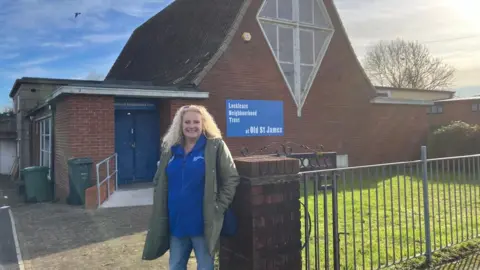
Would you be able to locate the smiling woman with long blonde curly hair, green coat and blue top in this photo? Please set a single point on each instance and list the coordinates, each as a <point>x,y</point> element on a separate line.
<point>195,184</point>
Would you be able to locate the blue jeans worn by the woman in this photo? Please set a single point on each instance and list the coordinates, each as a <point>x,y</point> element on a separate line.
<point>180,249</point>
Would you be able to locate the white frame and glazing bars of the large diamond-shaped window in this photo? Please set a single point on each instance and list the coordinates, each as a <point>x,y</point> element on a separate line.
<point>298,96</point>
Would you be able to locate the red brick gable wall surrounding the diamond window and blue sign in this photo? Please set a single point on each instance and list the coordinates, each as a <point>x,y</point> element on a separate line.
<point>337,112</point>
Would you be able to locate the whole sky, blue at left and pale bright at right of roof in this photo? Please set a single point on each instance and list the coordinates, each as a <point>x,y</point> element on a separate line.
<point>42,38</point>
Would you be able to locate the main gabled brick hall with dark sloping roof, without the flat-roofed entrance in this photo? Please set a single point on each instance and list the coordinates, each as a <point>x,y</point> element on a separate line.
<point>336,103</point>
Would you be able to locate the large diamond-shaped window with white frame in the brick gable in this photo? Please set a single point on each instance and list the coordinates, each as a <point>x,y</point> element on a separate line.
<point>298,33</point>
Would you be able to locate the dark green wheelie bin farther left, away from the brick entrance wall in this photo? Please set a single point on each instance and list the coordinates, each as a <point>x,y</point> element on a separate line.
<point>38,186</point>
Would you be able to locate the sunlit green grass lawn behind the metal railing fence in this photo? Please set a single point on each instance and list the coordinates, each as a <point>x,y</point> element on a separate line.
<point>381,215</point>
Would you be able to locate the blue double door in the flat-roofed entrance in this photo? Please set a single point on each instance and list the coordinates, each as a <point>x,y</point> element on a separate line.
<point>137,142</point>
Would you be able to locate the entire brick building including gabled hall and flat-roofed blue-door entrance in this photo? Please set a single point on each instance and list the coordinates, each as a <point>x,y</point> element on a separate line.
<point>212,52</point>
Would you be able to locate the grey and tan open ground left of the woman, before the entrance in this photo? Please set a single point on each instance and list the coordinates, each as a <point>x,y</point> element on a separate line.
<point>56,236</point>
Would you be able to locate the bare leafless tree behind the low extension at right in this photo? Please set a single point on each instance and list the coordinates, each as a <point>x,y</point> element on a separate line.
<point>407,64</point>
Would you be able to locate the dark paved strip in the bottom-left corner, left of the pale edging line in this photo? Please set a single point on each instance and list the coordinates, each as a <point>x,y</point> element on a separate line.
<point>8,253</point>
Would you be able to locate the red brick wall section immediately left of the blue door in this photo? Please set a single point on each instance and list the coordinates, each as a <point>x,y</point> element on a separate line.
<point>84,127</point>
